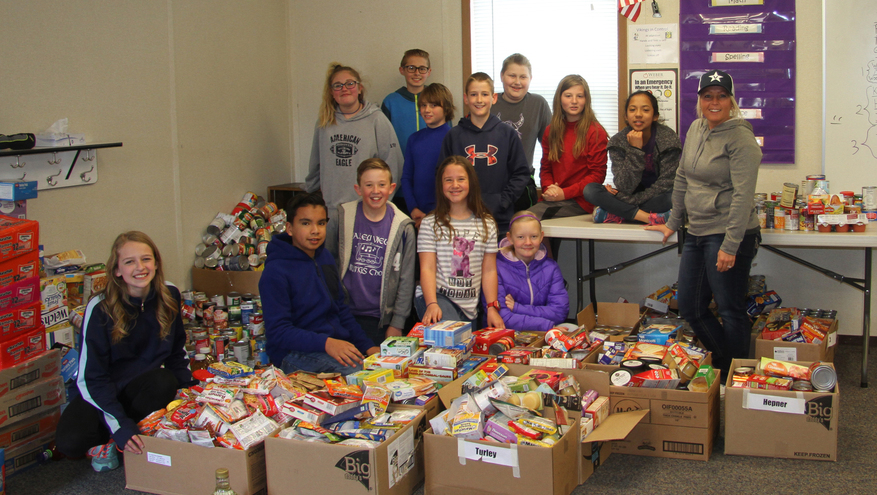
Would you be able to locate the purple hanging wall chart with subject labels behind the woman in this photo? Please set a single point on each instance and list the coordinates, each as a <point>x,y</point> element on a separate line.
<point>756,45</point>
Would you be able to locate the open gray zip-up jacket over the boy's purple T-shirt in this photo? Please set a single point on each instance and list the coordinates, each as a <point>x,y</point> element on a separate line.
<point>397,286</point>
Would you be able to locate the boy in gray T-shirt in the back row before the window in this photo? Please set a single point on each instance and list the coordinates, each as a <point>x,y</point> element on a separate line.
<point>527,113</point>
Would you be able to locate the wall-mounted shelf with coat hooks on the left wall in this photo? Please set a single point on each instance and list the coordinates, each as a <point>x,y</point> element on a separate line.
<point>55,167</point>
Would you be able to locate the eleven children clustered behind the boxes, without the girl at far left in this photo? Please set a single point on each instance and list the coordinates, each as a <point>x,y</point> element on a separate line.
<point>460,187</point>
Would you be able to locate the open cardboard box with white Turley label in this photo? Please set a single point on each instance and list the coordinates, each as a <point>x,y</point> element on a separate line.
<point>456,466</point>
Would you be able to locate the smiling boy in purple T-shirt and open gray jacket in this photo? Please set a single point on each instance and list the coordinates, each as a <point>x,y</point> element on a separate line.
<point>377,248</point>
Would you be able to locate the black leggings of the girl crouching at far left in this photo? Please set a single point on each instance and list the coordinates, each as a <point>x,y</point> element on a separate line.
<point>82,425</point>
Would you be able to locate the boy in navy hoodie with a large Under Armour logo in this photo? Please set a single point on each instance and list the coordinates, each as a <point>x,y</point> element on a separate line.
<point>494,149</point>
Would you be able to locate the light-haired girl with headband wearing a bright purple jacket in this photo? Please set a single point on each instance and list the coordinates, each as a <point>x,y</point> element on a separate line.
<point>531,289</point>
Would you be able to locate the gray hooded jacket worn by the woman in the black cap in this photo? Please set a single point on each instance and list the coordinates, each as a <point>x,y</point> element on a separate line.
<point>715,182</point>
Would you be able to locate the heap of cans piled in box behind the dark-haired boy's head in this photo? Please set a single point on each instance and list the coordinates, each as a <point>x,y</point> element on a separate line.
<point>239,241</point>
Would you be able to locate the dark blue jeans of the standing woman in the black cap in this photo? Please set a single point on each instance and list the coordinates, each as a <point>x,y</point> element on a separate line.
<point>700,281</point>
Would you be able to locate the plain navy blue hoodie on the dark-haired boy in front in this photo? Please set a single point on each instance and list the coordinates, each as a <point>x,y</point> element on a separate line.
<point>303,302</point>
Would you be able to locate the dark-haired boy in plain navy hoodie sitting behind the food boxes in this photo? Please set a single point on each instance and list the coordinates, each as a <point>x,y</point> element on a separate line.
<point>308,326</point>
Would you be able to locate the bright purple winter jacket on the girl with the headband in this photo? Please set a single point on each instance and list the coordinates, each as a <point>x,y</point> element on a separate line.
<point>541,301</point>
